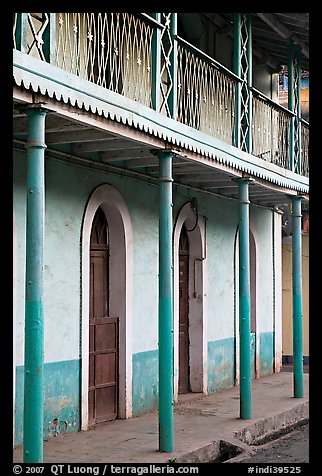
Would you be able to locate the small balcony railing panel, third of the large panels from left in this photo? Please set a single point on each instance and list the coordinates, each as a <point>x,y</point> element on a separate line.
<point>270,130</point>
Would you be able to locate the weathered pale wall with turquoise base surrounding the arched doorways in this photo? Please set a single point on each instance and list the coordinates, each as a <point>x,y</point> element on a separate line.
<point>68,188</point>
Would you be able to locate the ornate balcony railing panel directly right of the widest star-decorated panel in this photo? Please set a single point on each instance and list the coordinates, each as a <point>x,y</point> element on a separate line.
<point>206,94</point>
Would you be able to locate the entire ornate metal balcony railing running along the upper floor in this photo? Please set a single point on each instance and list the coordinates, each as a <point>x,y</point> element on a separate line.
<point>141,57</point>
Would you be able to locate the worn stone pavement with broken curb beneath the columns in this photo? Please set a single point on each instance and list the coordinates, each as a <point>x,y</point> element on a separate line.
<point>207,428</point>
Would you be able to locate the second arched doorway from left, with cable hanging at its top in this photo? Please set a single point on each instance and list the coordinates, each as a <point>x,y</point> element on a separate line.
<point>190,302</point>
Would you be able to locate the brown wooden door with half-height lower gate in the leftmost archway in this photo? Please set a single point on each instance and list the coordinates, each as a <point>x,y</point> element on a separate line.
<point>103,330</point>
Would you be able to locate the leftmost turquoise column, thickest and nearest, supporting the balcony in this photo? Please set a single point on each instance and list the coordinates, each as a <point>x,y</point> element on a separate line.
<point>34,319</point>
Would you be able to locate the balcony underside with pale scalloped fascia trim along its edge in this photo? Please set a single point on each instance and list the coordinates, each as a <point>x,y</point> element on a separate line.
<point>92,126</point>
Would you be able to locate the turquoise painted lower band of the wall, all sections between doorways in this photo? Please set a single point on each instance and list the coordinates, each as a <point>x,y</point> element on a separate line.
<point>62,384</point>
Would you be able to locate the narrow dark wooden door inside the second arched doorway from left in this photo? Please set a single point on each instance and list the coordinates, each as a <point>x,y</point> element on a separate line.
<point>184,384</point>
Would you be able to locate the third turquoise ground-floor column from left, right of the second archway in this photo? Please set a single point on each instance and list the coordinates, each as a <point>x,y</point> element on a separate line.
<point>244,303</point>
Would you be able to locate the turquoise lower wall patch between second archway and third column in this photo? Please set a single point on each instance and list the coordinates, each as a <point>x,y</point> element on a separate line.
<point>221,364</point>
